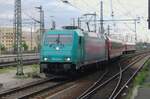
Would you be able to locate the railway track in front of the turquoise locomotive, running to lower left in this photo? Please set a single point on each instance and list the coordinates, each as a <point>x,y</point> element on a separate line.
<point>31,89</point>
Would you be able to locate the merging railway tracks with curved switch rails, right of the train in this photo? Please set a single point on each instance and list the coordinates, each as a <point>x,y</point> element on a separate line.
<point>118,82</point>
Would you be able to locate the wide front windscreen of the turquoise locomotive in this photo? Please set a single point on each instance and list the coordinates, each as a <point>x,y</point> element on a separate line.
<point>58,39</point>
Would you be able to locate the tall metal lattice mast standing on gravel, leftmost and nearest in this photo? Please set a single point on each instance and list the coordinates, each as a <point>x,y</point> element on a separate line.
<point>18,36</point>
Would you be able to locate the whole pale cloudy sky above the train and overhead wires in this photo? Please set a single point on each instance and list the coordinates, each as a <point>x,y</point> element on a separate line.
<point>63,13</point>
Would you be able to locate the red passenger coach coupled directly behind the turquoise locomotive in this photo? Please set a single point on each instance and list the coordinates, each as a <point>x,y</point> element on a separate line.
<point>115,48</point>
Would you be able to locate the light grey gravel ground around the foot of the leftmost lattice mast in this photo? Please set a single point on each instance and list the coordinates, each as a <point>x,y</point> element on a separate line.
<point>9,80</point>
